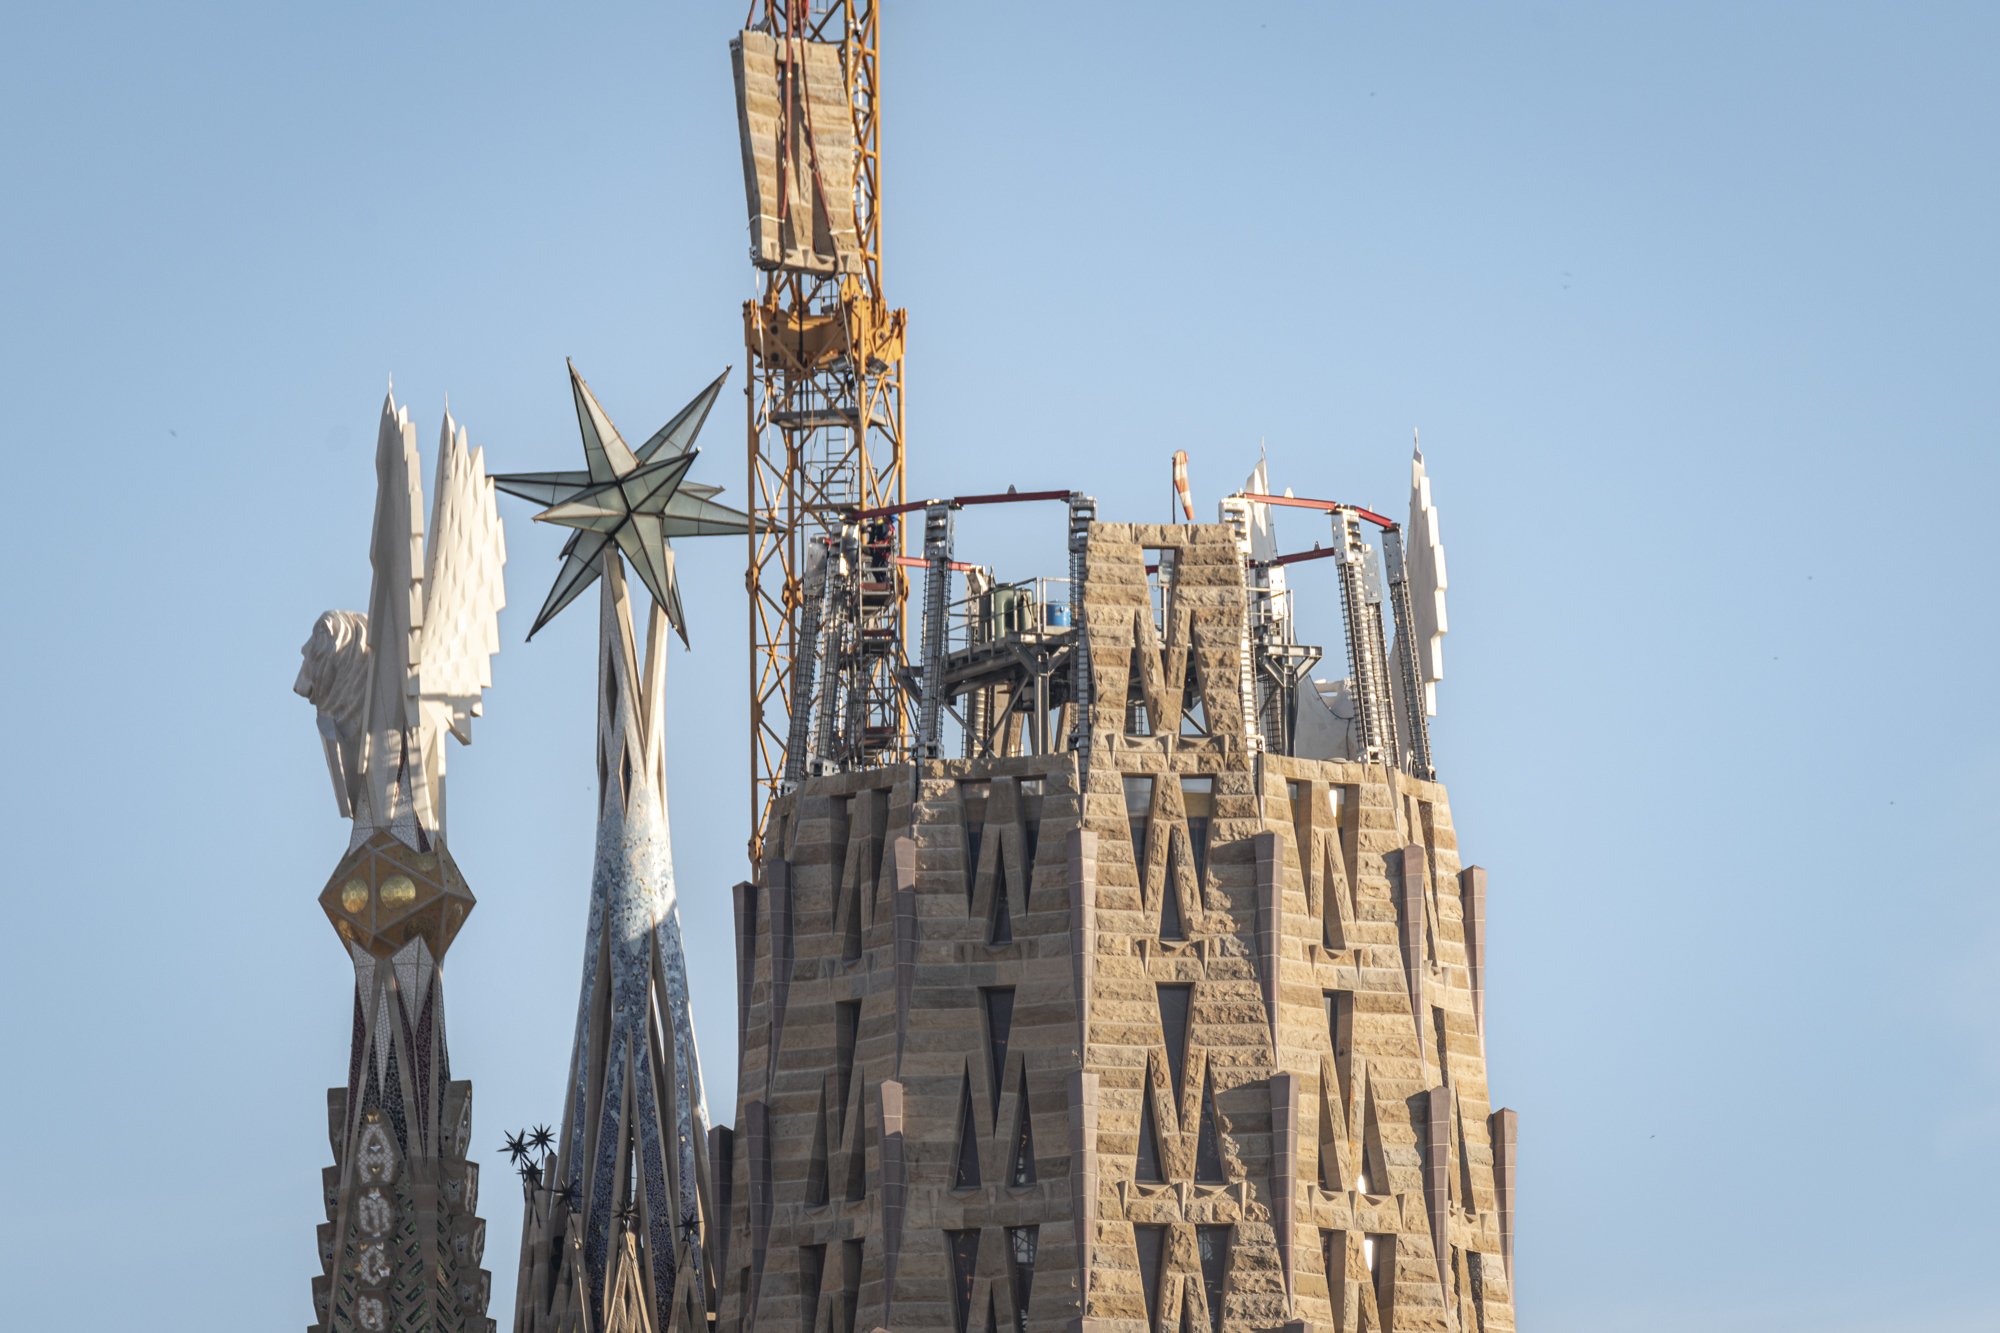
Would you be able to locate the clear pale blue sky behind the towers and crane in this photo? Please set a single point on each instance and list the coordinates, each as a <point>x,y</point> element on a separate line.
<point>1695,307</point>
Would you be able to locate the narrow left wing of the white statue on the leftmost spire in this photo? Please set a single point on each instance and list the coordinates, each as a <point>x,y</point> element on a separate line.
<point>395,611</point>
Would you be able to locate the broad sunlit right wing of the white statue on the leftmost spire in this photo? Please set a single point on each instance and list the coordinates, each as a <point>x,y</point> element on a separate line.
<point>463,587</point>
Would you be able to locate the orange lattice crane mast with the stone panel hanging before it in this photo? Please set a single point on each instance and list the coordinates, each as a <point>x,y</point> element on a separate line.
<point>825,395</point>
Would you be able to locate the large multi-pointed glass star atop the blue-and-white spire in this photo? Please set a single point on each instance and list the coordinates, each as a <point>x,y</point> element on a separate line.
<point>627,501</point>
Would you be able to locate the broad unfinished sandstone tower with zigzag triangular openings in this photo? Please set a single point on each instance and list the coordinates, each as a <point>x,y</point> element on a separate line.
<point>967,1100</point>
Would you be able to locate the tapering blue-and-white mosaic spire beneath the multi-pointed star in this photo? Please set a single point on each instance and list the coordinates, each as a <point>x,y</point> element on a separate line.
<point>611,1236</point>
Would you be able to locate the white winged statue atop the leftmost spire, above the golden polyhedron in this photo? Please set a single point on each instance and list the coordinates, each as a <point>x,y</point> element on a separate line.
<point>391,684</point>
